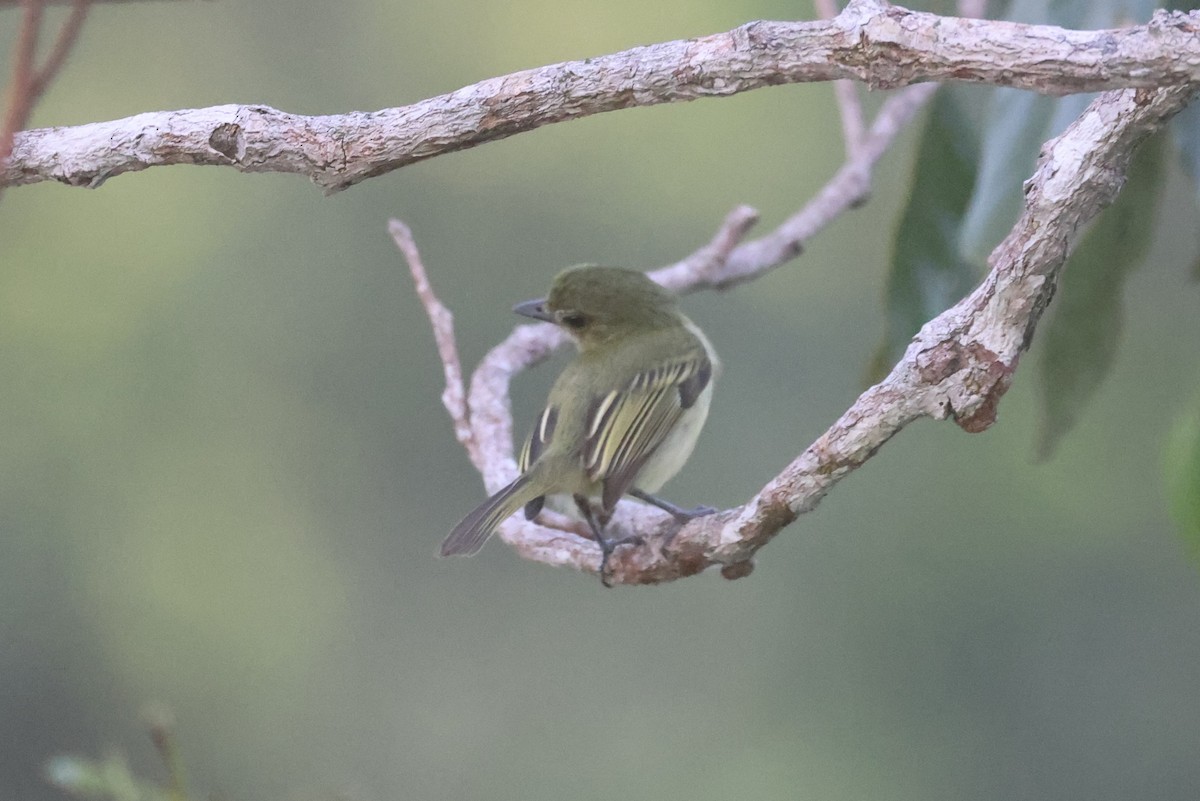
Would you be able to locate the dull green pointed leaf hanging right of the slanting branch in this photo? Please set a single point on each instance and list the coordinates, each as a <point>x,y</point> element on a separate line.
<point>1082,338</point>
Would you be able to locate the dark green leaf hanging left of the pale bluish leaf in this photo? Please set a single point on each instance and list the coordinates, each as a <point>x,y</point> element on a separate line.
<point>927,274</point>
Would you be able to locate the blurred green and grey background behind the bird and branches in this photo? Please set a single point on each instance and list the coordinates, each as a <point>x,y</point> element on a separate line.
<point>225,468</point>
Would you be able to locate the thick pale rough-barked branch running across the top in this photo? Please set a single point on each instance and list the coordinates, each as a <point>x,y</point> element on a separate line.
<point>884,46</point>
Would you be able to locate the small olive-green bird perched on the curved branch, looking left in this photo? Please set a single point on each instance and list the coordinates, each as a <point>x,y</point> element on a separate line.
<point>621,419</point>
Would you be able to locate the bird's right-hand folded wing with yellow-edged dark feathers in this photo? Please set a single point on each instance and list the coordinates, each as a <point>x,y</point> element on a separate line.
<point>626,426</point>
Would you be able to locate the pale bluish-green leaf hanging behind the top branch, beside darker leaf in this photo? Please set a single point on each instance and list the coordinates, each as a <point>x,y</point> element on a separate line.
<point>1018,123</point>
